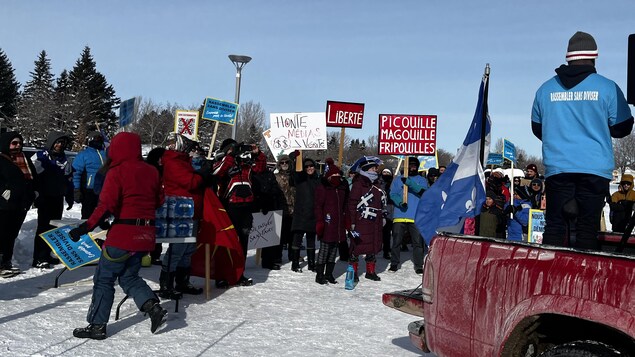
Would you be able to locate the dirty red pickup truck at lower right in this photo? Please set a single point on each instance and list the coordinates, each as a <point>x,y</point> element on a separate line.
<point>492,297</point>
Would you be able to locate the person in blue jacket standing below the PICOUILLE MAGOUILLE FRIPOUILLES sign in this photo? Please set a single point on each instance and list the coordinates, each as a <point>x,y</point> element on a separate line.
<point>404,215</point>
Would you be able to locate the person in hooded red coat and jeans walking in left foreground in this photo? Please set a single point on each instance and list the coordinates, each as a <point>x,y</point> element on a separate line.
<point>131,193</point>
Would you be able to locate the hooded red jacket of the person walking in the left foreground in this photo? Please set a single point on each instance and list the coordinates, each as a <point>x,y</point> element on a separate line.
<point>131,190</point>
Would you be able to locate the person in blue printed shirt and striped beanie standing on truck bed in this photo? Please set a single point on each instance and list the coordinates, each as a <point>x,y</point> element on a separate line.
<point>578,111</point>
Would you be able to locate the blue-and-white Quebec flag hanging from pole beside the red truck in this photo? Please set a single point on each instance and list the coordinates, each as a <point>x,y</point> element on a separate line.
<point>460,192</point>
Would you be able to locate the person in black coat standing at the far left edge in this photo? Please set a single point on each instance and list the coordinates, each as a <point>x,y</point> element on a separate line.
<point>17,190</point>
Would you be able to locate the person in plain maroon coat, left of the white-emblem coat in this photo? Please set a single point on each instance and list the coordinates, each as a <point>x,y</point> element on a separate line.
<point>330,213</point>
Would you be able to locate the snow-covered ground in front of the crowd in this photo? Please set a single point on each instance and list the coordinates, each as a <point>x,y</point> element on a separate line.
<point>283,314</point>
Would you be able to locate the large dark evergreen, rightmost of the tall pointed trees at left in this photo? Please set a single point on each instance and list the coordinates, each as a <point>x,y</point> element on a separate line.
<point>95,98</point>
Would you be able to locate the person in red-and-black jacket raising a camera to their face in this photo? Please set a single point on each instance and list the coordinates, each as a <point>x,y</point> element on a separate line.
<point>234,172</point>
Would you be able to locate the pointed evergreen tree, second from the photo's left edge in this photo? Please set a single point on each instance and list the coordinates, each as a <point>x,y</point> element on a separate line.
<point>37,106</point>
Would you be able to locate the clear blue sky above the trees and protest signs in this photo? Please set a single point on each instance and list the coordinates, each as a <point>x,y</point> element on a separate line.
<point>409,57</point>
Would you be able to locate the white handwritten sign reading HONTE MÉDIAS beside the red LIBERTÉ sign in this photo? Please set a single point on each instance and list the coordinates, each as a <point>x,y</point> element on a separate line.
<point>298,131</point>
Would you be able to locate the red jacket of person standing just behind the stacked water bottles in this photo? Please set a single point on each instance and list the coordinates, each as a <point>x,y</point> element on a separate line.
<point>179,179</point>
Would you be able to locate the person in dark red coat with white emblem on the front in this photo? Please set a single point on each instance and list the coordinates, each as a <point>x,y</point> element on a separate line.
<point>366,207</point>
